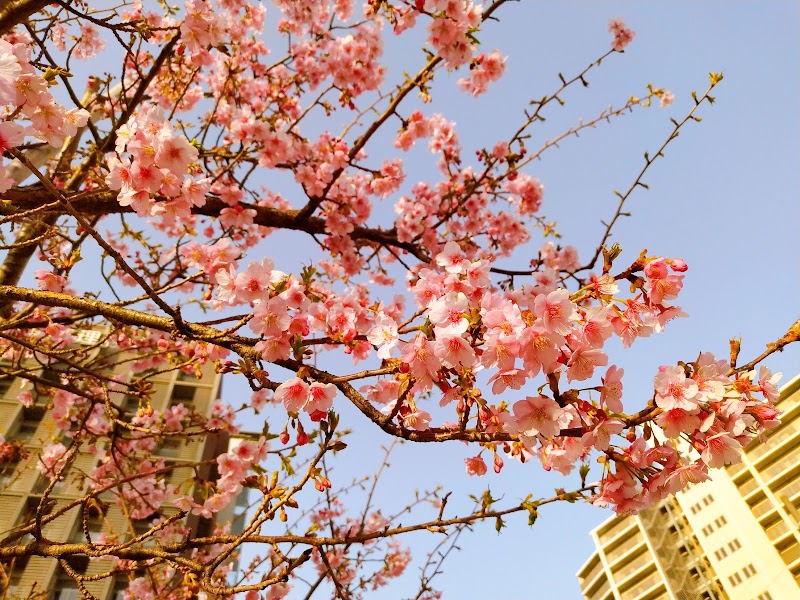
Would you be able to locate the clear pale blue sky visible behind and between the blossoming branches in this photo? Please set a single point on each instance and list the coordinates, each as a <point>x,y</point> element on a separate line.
<point>725,198</point>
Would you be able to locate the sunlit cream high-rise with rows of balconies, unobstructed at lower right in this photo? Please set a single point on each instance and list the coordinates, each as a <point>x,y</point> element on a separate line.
<point>736,537</point>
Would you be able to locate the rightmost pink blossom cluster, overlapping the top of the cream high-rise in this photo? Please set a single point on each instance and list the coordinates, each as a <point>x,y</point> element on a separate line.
<point>706,418</point>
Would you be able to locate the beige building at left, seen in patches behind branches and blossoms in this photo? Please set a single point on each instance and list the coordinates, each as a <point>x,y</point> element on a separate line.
<point>21,484</point>
